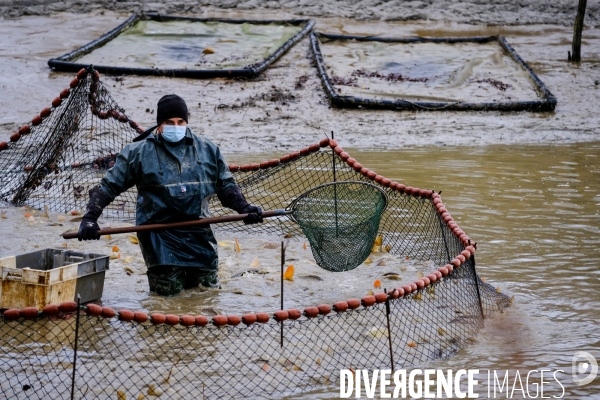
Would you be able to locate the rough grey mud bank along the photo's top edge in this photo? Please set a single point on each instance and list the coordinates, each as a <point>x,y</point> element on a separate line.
<point>494,12</point>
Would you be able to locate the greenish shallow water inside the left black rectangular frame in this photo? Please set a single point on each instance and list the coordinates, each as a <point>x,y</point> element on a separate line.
<point>191,45</point>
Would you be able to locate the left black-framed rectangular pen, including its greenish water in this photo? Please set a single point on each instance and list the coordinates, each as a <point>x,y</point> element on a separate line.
<point>187,47</point>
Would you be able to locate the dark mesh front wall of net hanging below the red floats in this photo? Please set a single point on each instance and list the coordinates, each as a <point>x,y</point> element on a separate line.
<point>126,358</point>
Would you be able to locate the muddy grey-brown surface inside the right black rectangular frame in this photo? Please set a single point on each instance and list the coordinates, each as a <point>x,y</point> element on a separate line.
<point>465,72</point>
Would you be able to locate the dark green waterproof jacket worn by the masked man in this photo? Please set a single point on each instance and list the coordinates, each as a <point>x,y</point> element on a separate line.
<point>175,182</point>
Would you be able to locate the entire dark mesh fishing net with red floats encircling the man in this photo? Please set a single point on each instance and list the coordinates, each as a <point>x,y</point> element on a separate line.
<point>85,355</point>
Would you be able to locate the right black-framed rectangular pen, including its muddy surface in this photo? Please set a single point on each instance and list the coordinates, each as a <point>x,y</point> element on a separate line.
<point>448,74</point>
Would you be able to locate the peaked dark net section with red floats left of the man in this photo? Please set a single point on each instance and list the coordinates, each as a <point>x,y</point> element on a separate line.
<point>65,150</point>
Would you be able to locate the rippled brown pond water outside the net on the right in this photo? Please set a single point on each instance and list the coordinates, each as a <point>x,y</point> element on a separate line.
<point>535,213</point>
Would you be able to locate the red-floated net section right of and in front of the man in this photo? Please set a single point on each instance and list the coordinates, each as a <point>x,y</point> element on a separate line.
<point>87,352</point>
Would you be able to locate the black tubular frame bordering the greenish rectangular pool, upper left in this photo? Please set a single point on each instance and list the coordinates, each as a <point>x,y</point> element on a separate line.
<point>68,62</point>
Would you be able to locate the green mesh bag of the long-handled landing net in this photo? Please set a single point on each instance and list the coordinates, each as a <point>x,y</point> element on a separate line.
<point>340,221</point>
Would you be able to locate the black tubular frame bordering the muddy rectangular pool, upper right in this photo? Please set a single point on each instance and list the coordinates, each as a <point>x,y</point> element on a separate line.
<point>547,101</point>
